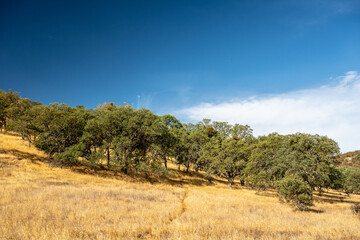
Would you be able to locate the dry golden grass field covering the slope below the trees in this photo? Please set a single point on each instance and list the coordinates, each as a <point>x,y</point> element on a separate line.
<point>38,201</point>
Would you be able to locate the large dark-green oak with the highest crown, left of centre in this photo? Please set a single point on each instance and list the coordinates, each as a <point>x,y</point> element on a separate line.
<point>126,136</point>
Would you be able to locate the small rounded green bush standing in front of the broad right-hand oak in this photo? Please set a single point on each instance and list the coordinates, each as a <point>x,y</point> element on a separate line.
<point>295,191</point>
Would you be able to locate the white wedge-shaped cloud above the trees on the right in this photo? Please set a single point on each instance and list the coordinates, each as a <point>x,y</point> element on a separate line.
<point>331,110</point>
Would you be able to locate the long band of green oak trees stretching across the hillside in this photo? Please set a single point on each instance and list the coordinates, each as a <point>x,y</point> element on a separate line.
<point>125,139</point>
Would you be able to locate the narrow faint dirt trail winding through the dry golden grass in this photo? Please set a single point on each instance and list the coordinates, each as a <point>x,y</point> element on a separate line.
<point>159,233</point>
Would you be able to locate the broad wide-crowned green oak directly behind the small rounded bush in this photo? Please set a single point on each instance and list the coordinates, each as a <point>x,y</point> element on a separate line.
<point>309,157</point>
